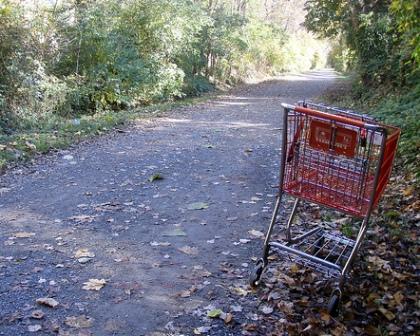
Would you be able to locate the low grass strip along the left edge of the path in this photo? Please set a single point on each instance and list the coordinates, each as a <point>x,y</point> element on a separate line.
<point>39,136</point>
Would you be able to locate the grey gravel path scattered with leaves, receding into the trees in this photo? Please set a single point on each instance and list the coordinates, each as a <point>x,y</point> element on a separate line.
<point>145,232</point>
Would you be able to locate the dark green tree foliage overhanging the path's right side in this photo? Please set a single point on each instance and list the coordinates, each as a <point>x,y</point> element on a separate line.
<point>382,36</point>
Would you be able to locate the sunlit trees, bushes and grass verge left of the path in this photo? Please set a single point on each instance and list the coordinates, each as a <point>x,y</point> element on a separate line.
<point>72,68</point>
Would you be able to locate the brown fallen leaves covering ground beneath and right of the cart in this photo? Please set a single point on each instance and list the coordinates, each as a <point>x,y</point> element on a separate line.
<point>381,296</point>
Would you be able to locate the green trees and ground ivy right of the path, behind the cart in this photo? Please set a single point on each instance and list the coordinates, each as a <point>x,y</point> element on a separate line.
<point>378,43</point>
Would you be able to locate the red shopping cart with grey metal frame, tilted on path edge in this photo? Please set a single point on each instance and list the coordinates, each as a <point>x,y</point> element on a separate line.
<point>335,158</point>
